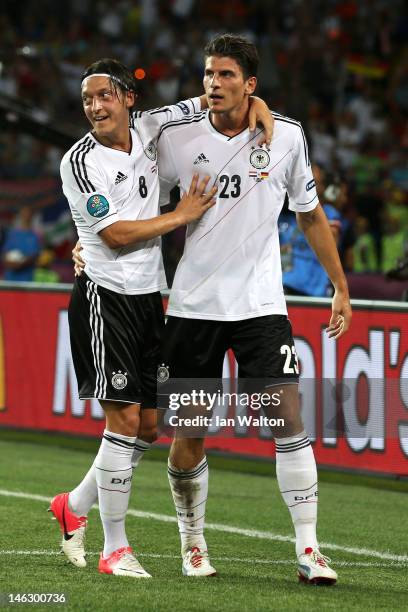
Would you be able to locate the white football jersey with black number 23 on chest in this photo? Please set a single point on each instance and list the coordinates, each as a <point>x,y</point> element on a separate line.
<point>231,267</point>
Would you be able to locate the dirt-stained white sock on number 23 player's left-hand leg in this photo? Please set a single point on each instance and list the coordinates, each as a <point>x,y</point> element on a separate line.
<point>190,489</point>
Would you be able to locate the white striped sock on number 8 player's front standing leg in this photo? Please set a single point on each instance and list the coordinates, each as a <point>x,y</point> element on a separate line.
<point>114,478</point>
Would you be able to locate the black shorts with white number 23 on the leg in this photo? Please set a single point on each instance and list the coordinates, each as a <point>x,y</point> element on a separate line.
<point>263,347</point>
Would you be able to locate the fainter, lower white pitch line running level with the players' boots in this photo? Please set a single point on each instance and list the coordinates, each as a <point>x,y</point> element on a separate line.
<point>54,553</point>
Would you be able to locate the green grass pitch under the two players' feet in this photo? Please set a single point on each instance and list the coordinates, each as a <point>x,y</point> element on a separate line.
<point>253,555</point>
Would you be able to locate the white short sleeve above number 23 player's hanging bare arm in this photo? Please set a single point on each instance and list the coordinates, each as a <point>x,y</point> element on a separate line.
<point>301,184</point>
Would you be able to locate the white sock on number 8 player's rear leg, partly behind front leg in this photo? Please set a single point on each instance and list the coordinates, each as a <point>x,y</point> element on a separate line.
<point>85,495</point>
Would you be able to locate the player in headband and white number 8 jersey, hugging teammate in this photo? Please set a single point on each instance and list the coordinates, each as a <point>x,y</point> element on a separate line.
<point>116,317</point>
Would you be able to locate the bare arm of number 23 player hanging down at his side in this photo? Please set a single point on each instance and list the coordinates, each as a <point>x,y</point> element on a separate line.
<point>315,226</point>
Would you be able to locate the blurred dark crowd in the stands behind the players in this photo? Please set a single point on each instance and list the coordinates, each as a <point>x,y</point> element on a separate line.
<point>338,66</point>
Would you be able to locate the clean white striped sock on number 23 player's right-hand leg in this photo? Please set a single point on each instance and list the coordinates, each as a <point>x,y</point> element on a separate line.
<point>297,479</point>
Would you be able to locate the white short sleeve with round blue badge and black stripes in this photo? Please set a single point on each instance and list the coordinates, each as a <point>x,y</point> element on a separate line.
<point>87,194</point>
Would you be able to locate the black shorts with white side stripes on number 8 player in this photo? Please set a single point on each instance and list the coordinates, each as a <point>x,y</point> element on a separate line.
<point>115,343</point>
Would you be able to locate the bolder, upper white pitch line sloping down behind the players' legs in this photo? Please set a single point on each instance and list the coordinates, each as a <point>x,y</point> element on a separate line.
<point>250,533</point>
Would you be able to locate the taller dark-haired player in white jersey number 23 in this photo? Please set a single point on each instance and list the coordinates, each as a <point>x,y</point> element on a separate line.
<point>227,291</point>
